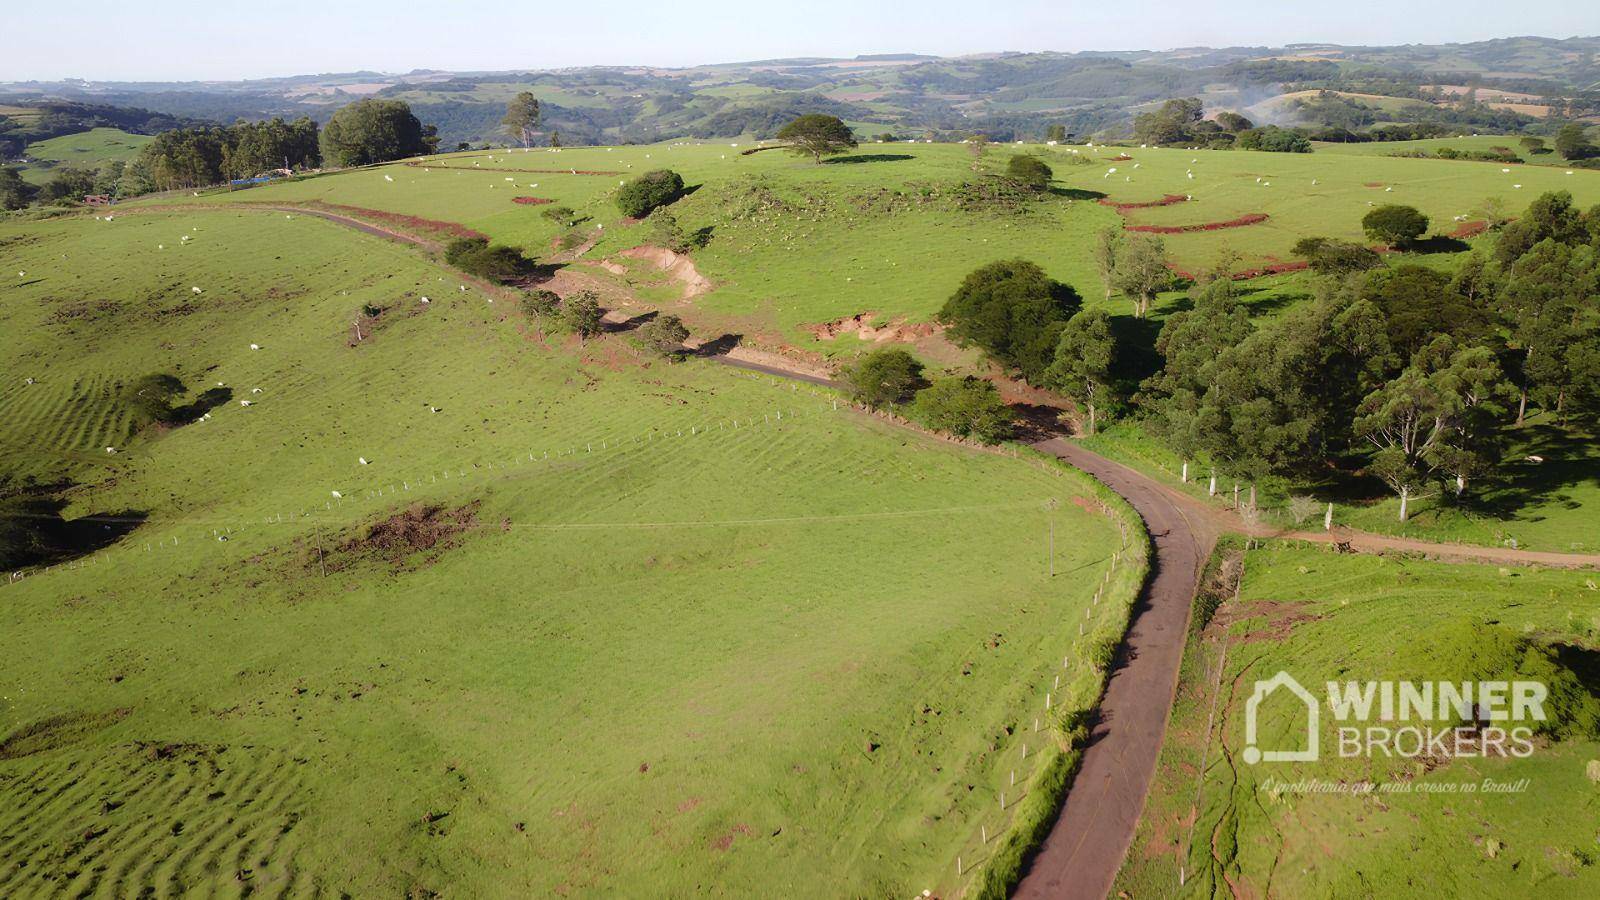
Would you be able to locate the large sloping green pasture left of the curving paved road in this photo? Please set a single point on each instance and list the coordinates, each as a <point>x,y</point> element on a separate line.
<point>692,632</point>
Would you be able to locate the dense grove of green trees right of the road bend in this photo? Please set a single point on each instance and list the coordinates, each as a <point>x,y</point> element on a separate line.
<point>1406,372</point>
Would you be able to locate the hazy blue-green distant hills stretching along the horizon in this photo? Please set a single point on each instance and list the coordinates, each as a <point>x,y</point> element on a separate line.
<point>1505,84</point>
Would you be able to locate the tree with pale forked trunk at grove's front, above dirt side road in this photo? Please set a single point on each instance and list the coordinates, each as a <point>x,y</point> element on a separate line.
<point>1425,420</point>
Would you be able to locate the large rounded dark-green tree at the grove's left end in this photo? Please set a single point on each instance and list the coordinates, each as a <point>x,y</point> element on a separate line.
<point>1014,313</point>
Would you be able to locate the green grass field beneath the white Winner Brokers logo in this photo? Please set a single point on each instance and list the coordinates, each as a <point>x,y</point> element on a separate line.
<point>1218,827</point>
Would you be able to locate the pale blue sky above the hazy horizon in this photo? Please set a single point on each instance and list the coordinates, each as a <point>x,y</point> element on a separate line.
<point>223,39</point>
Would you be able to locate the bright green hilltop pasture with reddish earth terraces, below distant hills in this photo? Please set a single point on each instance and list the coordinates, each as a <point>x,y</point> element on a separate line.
<point>796,244</point>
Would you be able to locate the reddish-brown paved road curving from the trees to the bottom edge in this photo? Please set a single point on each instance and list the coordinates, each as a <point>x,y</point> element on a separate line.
<point>1086,848</point>
